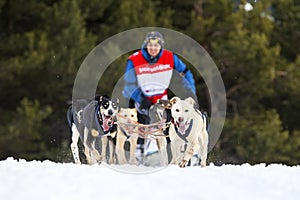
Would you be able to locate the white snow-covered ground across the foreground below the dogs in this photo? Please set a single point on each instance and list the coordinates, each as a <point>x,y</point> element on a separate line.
<point>21,179</point>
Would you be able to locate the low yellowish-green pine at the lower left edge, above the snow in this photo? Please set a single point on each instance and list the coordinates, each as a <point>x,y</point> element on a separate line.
<point>21,137</point>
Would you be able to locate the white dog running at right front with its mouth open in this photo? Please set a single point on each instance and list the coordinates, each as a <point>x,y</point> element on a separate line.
<point>189,128</point>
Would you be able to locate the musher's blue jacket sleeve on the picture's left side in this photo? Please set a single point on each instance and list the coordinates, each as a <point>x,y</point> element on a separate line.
<point>131,89</point>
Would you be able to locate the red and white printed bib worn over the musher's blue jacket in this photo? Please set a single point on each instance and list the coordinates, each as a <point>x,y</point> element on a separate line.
<point>153,79</point>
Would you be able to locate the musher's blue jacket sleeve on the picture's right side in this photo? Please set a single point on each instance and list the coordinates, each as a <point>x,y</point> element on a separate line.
<point>188,80</point>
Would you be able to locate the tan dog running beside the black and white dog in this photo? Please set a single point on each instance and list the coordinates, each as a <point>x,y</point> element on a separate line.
<point>127,121</point>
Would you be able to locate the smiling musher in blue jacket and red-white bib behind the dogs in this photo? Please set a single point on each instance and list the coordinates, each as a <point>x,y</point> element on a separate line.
<point>148,75</point>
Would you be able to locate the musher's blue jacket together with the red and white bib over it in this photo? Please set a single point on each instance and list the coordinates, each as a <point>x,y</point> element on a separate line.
<point>147,77</point>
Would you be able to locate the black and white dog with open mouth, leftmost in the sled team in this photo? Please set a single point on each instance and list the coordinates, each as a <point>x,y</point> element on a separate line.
<point>90,120</point>
